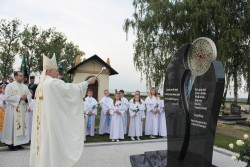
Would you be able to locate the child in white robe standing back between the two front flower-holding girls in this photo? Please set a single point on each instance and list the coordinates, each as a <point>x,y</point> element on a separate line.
<point>125,115</point>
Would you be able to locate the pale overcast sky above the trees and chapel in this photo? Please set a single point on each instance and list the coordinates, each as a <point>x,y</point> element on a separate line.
<point>94,25</point>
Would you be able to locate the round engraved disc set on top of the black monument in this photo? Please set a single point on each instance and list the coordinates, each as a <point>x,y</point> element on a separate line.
<point>200,56</point>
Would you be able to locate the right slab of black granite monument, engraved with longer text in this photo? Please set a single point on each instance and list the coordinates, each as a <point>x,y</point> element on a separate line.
<point>204,108</point>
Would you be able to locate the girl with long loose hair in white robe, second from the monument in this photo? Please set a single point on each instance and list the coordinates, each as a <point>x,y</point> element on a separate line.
<point>152,117</point>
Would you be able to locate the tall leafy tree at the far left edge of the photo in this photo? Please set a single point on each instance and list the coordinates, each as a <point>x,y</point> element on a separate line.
<point>9,45</point>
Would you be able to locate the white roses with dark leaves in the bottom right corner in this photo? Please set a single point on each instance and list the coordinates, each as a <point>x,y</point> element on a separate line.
<point>244,153</point>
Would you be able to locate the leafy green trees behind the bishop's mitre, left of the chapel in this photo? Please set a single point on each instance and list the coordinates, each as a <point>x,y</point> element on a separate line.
<point>37,42</point>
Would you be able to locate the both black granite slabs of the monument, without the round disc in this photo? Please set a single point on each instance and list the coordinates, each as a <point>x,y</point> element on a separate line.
<point>192,105</point>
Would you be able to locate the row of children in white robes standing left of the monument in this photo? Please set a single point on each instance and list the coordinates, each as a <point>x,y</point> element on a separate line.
<point>115,112</point>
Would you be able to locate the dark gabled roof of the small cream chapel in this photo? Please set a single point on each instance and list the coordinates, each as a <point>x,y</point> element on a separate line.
<point>95,57</point>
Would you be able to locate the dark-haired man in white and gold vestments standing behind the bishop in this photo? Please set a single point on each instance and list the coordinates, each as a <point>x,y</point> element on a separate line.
<point>16,126</point>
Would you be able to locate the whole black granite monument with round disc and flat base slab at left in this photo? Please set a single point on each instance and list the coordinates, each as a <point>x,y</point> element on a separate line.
<point>193,92</point>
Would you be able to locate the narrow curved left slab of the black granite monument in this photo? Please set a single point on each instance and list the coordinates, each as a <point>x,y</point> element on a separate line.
<point>174,106</point>
